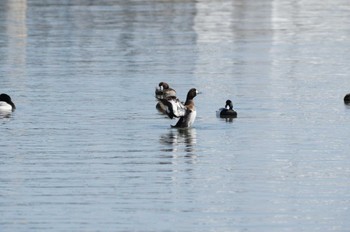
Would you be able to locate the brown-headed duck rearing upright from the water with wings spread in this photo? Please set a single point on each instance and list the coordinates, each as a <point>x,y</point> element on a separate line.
<point>185,112</point>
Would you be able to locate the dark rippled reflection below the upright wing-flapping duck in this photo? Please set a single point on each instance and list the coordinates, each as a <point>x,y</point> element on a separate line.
<point>178,140</point>
